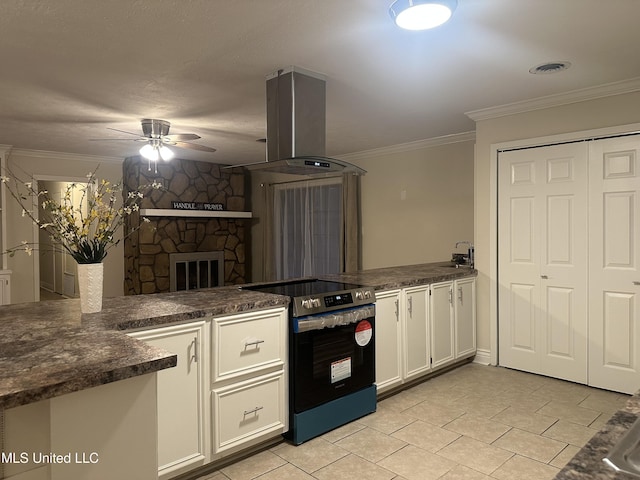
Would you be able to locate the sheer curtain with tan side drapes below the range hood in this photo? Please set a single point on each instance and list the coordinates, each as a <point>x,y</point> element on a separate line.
<point>312,227</point>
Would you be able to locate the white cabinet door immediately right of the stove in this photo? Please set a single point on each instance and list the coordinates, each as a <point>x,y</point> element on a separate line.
<point>388,340</point>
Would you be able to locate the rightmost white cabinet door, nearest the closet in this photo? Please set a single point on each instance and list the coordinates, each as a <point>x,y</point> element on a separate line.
<point>465,316</point>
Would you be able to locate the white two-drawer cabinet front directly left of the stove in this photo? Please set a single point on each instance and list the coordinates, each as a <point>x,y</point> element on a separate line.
<point>249,392</point>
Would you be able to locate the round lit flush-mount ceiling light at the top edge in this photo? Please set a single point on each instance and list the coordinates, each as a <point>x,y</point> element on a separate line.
<point>421,14</point>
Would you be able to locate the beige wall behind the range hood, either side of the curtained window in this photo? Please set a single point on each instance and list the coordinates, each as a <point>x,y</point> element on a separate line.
<point>421,225</point>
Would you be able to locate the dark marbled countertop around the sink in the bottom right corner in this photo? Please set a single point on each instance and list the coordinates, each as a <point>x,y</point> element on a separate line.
<point>587,464</point>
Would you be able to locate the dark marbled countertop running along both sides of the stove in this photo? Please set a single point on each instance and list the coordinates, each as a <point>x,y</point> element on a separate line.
<point>49,348</point>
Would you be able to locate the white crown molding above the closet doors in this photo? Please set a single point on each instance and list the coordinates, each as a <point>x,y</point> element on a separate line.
<point>574,96</point>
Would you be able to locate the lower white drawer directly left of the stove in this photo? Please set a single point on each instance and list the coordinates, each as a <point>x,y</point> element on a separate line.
<point>249,410</point>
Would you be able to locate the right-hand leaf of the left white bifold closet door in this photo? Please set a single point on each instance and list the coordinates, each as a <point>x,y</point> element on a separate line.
<point>563,268</point>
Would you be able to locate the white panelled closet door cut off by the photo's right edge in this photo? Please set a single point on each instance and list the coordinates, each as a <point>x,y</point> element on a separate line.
<point>614,264</point>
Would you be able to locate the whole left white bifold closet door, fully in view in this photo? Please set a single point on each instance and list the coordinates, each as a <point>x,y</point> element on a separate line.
<point>542,255</point>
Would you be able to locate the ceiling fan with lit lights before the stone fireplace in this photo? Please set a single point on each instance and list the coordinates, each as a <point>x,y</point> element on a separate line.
<point>155,134</point>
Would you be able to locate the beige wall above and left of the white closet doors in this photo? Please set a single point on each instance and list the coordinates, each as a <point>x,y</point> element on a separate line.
<point>593,114</point>
